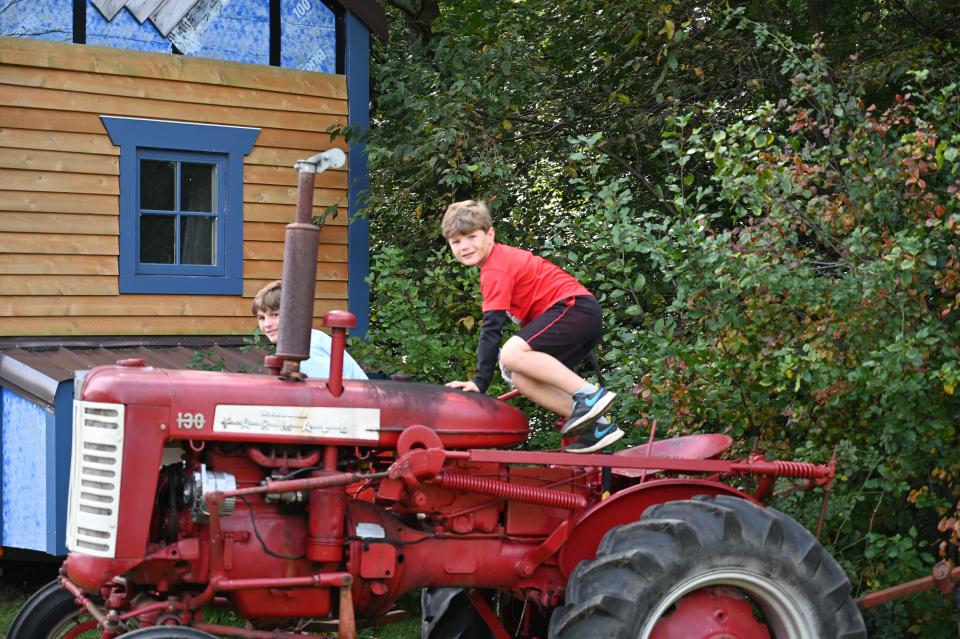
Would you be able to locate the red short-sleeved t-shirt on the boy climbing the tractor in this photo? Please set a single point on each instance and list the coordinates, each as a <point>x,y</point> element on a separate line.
<point>524,284</point>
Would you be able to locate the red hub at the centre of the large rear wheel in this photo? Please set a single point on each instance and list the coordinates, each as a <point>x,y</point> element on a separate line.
<point>711,613</point>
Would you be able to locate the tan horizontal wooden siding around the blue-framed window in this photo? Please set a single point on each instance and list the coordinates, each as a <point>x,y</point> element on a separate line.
<point>59,183</point>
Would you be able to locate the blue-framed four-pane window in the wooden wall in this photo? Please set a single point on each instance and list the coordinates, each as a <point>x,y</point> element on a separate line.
<point>181,205</point>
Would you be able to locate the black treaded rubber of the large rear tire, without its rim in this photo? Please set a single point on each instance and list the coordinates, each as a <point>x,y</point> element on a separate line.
<point>611,595</point>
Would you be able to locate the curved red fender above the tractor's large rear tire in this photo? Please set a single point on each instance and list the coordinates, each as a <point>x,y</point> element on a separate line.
<point>625,507</point>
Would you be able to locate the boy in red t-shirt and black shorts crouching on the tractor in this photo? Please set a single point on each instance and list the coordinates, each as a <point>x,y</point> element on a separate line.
<point>560,320</point>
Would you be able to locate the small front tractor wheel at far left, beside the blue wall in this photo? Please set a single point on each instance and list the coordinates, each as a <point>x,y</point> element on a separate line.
<point>51,613</point>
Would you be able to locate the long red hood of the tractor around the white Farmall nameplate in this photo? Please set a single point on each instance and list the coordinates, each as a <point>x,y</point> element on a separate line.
<point>462,420</point>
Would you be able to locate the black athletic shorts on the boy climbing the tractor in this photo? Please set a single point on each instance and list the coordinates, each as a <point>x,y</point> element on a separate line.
<point>568,330</point>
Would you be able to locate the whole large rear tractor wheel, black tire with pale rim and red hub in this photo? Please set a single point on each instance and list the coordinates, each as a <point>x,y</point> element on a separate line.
<point>719,545</point>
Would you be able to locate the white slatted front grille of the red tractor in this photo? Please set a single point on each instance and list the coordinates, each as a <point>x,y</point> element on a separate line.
<point>93,504</point>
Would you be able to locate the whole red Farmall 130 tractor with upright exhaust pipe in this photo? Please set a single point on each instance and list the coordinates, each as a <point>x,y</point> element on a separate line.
<point>307,506</point>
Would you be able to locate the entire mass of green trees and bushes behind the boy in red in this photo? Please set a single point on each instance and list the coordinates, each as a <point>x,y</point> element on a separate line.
<point>770,227</point>
